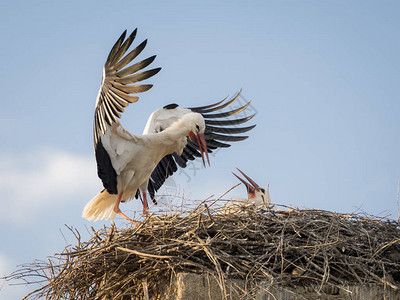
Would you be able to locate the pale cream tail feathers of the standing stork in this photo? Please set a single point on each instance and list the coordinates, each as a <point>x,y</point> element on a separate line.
<point>100,207</point>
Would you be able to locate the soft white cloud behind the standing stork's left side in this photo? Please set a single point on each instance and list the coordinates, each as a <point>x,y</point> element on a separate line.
<point>30,182</point>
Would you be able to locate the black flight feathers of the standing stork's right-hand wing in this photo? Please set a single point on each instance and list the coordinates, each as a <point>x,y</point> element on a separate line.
<point>222,128</point>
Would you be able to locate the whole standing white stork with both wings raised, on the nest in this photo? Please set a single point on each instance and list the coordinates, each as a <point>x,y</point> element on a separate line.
<point>127,163</point>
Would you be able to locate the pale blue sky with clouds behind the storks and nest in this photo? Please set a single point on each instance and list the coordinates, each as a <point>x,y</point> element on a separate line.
<point>322,75</point>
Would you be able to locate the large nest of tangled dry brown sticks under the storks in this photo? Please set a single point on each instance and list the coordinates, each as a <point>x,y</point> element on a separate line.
<point>281,246</point>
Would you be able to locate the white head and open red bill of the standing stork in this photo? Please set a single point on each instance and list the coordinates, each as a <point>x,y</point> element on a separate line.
<point>197,126</point>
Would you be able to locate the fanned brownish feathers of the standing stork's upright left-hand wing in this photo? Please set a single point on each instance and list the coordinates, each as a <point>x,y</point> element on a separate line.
<point>118,82</point>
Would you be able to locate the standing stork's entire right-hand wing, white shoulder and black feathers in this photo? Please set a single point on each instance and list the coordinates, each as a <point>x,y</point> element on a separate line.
<point>218,133</point>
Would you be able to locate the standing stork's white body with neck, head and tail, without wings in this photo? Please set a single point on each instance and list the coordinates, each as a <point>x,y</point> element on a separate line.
<point>134,157</point>
